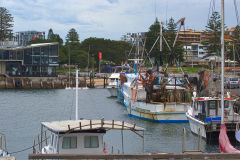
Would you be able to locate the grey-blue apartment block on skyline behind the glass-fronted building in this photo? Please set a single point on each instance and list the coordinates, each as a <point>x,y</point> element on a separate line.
<point>24,37</point>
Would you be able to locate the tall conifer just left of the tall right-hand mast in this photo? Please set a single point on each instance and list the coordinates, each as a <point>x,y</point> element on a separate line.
<point>213,33</point>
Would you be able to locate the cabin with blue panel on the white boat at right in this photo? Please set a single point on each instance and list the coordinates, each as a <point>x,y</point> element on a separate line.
<point>208,109</point>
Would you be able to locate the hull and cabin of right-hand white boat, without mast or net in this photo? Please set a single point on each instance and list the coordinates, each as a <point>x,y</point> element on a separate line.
<point>204,114</point>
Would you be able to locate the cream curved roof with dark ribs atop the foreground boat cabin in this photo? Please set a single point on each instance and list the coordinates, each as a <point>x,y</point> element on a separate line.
<point>88,125</point>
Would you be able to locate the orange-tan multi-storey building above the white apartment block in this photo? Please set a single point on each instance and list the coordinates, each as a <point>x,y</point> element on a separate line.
<point>189,36</point>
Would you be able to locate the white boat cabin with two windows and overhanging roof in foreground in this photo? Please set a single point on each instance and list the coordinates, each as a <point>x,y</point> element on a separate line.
<point>80,136</point>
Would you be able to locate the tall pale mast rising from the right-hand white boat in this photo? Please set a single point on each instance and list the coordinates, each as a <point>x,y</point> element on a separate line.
<point>222,64</point>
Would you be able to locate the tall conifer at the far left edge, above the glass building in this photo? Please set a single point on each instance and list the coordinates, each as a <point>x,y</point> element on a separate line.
<point>6,21</point>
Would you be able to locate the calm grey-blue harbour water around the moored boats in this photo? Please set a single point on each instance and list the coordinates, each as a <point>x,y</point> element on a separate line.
<point>23,110</point>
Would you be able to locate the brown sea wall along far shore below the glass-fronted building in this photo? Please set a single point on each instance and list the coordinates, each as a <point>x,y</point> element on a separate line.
<point>59,82</point>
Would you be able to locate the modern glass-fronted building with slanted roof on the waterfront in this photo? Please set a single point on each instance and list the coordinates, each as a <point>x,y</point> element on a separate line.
<point>36,60</point>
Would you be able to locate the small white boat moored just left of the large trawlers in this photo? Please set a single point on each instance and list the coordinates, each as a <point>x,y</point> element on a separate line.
<point>112,86</point>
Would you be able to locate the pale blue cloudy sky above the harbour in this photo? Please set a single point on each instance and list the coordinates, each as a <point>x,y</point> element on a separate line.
<point>110,19</point>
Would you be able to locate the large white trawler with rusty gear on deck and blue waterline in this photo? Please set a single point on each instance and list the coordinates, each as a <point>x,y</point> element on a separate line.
<point>153,97</point>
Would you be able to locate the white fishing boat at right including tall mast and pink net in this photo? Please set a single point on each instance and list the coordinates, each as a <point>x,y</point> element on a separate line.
<point>213,114</point>
